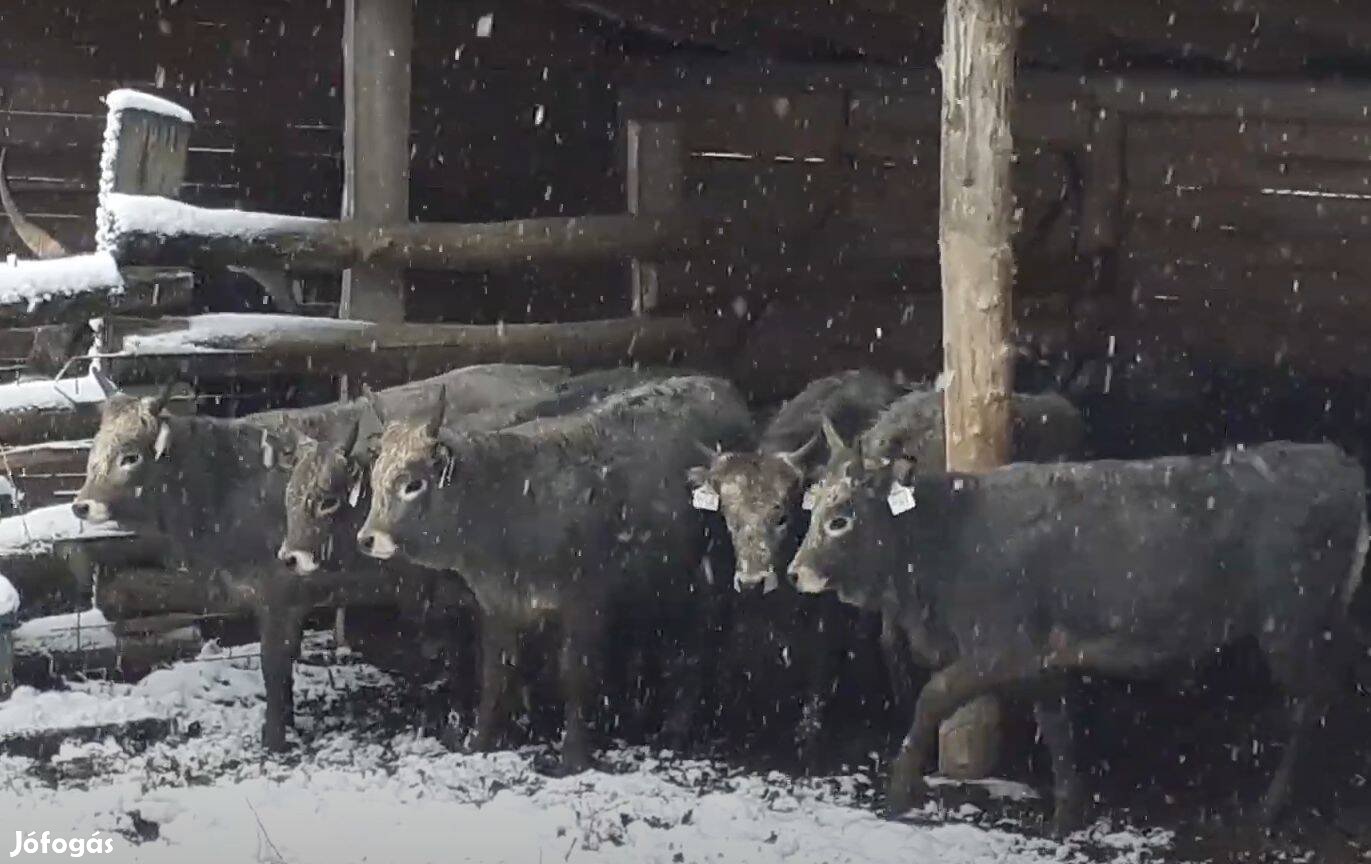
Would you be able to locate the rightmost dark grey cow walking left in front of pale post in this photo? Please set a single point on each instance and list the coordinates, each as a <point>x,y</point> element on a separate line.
<point>1030,574</point>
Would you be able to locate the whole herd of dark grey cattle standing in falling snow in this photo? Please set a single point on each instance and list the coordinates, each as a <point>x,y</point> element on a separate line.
<point>612,505</point>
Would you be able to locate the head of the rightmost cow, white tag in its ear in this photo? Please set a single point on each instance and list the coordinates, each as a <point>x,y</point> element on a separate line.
<point>844,542</point>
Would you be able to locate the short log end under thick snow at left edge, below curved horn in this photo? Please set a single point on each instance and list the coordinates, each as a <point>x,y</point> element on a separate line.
<point>76,289</point>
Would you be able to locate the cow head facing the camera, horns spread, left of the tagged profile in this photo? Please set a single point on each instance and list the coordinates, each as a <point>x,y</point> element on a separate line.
<point>759,496</point>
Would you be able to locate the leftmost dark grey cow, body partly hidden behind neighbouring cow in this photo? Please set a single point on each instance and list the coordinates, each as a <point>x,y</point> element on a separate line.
<point>212,492</point>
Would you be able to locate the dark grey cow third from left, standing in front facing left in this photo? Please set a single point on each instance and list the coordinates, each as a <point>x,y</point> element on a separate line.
<point>577,519</point>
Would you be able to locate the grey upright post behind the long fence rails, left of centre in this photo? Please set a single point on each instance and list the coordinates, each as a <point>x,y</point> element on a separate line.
<point>378,43</point>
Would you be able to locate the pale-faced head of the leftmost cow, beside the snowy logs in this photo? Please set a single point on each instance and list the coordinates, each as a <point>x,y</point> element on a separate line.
<point>123,467</point>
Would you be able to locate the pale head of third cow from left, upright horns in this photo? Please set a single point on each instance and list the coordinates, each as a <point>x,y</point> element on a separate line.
<point>413,461</point>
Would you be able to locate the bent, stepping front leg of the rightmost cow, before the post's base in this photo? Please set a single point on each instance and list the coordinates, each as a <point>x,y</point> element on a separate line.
<point>941,697</point>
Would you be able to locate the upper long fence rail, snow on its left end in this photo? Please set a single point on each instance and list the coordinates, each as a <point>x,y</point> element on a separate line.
<point>158,231</point>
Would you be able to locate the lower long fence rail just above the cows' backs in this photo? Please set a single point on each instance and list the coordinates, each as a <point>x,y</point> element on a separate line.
<point>223,345</point>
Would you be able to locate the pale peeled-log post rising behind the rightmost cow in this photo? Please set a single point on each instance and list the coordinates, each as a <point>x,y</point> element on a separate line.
<point>977,227</point>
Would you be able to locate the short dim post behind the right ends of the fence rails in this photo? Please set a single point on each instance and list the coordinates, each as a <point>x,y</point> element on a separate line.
<point>656,176</point>
